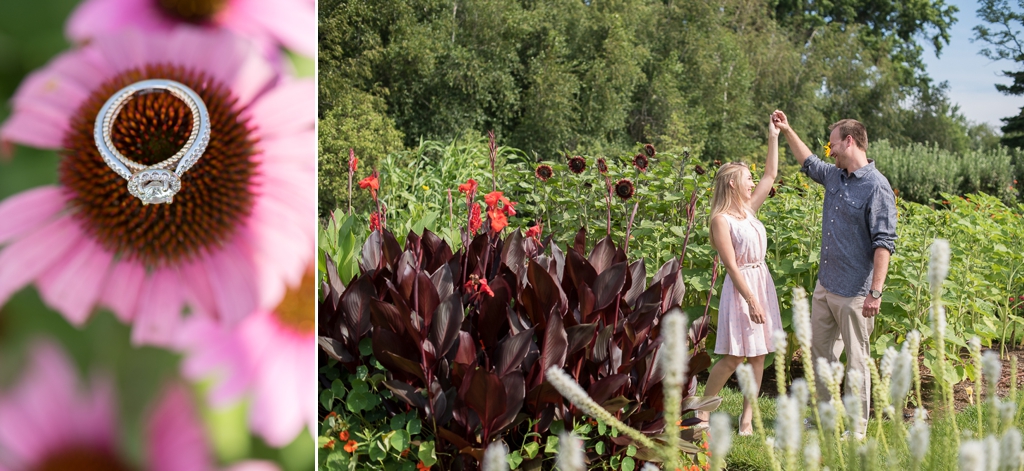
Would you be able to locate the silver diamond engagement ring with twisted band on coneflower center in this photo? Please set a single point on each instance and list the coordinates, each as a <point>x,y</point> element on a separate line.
<point>154,184</point>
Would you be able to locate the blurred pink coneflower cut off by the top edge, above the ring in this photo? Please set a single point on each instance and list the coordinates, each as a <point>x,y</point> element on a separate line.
<point>270,23</point>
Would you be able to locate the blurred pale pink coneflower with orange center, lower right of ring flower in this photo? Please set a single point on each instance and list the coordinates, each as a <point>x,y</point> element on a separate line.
<point>268,357</point>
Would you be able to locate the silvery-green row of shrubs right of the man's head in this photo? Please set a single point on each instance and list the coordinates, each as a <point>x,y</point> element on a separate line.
<point>920,174</point>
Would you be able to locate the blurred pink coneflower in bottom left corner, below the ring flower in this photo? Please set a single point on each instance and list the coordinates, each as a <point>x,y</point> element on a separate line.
<point>52,423</point>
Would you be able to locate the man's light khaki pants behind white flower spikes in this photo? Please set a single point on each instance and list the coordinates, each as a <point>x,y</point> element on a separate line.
<point>837,321</point>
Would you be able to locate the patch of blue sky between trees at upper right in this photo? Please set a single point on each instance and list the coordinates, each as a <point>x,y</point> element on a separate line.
<point>971,76</point>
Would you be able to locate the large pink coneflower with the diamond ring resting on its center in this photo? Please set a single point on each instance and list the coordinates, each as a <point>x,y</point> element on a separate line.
<point>236,233</point>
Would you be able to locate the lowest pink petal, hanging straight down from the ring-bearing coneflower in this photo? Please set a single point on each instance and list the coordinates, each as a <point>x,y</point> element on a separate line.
<point>159,313</point>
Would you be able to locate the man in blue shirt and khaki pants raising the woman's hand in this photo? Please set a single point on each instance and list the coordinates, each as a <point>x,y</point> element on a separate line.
<point>859,235</point>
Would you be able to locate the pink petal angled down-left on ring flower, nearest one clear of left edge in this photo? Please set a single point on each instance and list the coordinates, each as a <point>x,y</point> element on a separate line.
<point>72,287</point>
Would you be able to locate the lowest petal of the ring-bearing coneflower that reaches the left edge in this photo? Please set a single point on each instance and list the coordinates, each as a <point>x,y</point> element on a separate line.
<point>24,261</point>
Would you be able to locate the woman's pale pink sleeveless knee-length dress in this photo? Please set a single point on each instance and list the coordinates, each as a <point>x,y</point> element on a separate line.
<point>738,335</point>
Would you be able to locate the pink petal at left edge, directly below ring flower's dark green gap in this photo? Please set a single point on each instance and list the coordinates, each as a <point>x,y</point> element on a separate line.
<point>28,210</point>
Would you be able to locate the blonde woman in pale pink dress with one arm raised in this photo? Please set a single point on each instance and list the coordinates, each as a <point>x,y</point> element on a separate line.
<point>748,312</point>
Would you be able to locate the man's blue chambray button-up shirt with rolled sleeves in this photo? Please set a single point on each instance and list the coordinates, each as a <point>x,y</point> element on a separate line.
<point>860,216</point>
